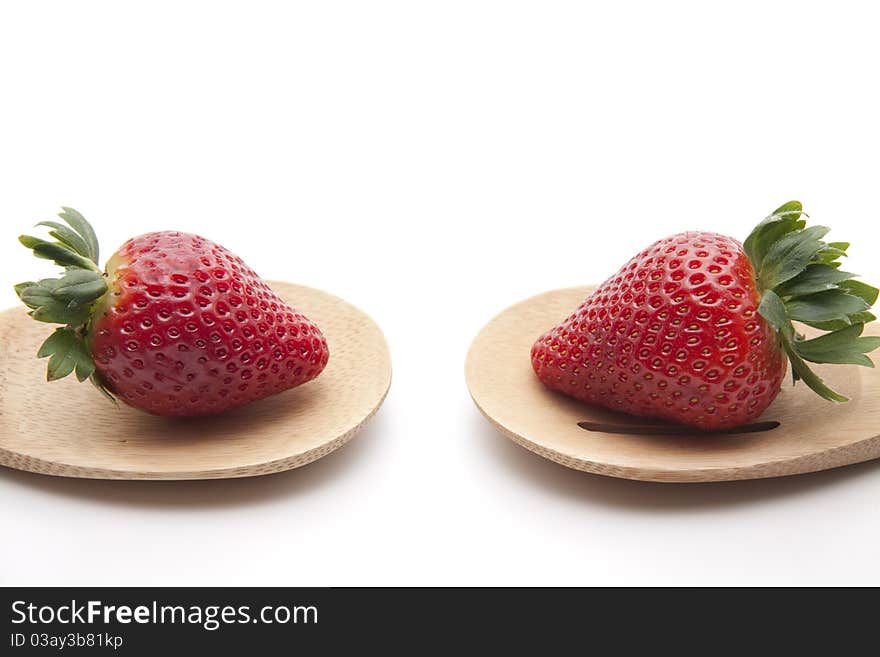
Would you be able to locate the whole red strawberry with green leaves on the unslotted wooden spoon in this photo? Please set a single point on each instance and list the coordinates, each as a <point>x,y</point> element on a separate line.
<point>177,325</point>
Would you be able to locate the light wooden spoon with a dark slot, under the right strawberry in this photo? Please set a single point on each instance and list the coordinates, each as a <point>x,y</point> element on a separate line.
<point>813,434</point>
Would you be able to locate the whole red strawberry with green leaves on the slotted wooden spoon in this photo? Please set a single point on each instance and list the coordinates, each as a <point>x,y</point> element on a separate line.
<point>697,328</point>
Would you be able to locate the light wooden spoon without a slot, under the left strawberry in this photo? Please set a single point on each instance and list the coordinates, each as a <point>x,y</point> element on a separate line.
<point>68,429</point>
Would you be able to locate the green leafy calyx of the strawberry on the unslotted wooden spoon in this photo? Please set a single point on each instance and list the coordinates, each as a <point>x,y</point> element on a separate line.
<point>67,300</point>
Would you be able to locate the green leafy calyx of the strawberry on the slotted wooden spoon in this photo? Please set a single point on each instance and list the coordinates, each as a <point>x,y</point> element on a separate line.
<point>799,279</point>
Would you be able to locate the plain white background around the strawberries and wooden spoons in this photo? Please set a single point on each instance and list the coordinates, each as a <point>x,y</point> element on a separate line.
<point>433,163</point>
